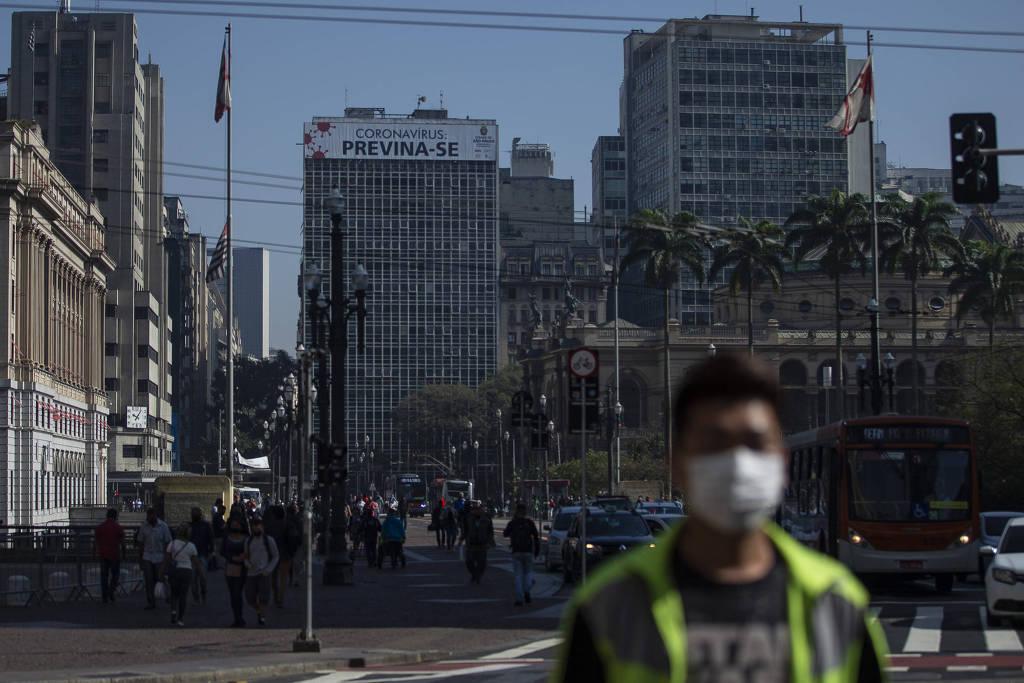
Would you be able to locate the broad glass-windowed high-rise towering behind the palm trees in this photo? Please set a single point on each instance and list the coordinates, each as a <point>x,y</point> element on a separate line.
<point>726,117</point>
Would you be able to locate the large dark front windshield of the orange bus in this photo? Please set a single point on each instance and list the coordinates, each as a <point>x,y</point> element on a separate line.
<point>910,486</point>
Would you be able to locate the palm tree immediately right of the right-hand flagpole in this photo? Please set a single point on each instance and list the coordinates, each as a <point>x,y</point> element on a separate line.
<point>916,238</point>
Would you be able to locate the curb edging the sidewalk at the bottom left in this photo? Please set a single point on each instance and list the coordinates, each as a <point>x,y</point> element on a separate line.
<point>236,671</point>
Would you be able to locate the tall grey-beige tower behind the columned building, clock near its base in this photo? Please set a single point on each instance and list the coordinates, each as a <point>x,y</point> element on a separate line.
<point>102,115</point>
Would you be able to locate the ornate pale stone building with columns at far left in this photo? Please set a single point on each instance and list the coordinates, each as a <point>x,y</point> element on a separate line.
<point>54,271</point>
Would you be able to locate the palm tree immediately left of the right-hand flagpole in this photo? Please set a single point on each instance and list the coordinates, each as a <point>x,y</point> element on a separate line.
<point>834,230</point>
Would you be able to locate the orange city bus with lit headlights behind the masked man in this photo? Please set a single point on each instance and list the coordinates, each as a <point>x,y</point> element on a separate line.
<point>891,495</point>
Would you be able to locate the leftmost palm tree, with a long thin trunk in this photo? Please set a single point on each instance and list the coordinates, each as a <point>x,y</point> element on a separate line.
<point>663,246</point>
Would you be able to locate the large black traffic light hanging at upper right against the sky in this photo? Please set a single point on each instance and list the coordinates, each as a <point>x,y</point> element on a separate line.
<point>976,178</point>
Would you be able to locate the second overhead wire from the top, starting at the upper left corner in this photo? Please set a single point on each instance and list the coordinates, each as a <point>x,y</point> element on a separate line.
<point>470,25</point>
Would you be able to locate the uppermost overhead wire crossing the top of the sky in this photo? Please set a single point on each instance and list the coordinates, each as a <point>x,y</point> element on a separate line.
<point>545,16</point>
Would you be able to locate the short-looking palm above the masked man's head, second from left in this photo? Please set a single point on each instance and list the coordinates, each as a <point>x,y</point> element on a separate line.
<point>755,252</point>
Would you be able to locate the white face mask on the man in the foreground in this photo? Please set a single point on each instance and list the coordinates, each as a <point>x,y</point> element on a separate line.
<point>738,490</point>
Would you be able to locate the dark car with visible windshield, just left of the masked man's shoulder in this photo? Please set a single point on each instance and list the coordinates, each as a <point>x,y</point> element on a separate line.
<point>609,534</point>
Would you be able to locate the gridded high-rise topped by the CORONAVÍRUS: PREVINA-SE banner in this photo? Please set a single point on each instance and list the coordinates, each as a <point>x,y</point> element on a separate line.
<point>421,215</point>
